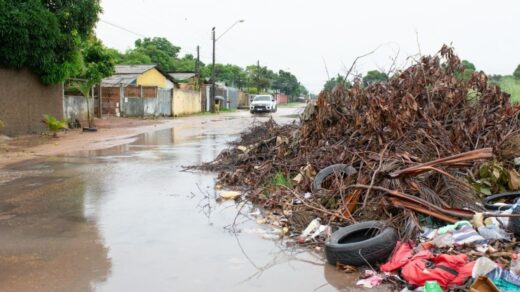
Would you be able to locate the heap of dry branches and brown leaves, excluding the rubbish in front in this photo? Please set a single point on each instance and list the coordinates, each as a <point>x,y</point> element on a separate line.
<point>413,140</point>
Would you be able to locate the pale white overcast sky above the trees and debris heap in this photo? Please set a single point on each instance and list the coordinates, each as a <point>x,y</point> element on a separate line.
<point>300,36</point>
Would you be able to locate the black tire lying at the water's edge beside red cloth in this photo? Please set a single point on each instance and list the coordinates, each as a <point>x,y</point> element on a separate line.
<point>357,244</point>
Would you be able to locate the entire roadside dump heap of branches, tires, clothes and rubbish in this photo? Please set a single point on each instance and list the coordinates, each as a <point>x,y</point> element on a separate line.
<point>405,165</point>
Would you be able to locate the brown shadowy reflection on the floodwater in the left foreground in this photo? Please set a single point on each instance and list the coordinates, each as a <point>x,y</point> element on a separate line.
<point>47,243</point>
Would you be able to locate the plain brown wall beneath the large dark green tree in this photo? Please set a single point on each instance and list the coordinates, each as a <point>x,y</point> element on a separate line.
<point>24,100</point>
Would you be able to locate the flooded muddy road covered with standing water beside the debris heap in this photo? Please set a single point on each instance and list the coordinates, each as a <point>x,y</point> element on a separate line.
<point>128,218</point>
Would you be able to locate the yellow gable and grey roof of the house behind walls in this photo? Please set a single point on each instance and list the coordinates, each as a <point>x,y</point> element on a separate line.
<point>139,75</point>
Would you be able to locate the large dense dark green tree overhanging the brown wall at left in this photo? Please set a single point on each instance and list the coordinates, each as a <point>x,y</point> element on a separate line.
<point>46,35</point>
